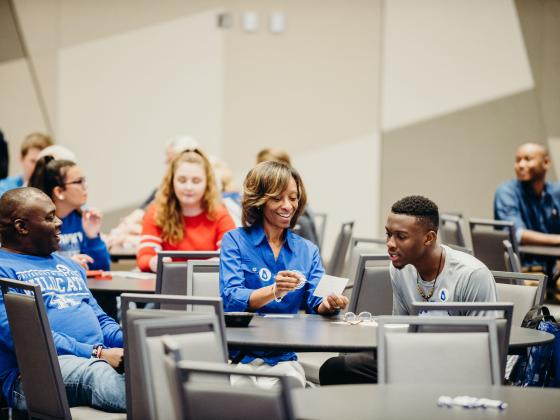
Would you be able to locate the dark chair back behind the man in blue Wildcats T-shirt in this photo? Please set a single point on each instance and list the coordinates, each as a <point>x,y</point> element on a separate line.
<point>36,356</point>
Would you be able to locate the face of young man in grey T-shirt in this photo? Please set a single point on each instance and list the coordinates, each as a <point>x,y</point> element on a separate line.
<point>407,239</point>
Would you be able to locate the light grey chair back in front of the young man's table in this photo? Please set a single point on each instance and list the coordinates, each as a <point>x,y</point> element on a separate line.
<point>459,353</point>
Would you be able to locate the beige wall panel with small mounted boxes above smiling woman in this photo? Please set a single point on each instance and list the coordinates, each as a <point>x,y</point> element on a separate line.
<point>312,86</point>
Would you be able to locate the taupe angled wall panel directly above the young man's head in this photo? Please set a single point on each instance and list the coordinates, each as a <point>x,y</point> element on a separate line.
<point>459,160</point>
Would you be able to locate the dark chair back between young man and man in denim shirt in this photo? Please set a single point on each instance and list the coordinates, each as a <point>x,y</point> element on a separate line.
<point>487,239</point>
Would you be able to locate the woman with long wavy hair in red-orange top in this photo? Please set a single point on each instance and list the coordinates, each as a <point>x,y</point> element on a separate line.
<point>187,213</point>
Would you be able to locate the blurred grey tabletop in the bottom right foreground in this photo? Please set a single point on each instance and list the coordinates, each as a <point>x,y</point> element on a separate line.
<point>417,402</point>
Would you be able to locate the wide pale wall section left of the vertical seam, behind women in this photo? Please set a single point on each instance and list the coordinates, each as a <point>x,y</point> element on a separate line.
<point>119,78</point>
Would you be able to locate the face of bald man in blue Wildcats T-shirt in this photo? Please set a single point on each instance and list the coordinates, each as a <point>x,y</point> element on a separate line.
<point>40,227</point>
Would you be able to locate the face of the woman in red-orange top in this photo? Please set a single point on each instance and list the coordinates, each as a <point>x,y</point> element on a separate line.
<point>189,184</point>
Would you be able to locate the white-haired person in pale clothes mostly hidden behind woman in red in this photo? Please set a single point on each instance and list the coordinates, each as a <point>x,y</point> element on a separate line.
<point>127,233</point>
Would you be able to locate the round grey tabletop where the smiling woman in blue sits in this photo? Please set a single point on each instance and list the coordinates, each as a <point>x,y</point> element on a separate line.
<point>317,333</point>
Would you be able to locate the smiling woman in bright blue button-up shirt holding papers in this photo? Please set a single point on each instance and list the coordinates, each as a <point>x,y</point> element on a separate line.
<point>266,268</point>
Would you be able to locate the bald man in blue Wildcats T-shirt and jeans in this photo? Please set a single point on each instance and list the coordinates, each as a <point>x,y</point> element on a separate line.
<point>88,342</point>
